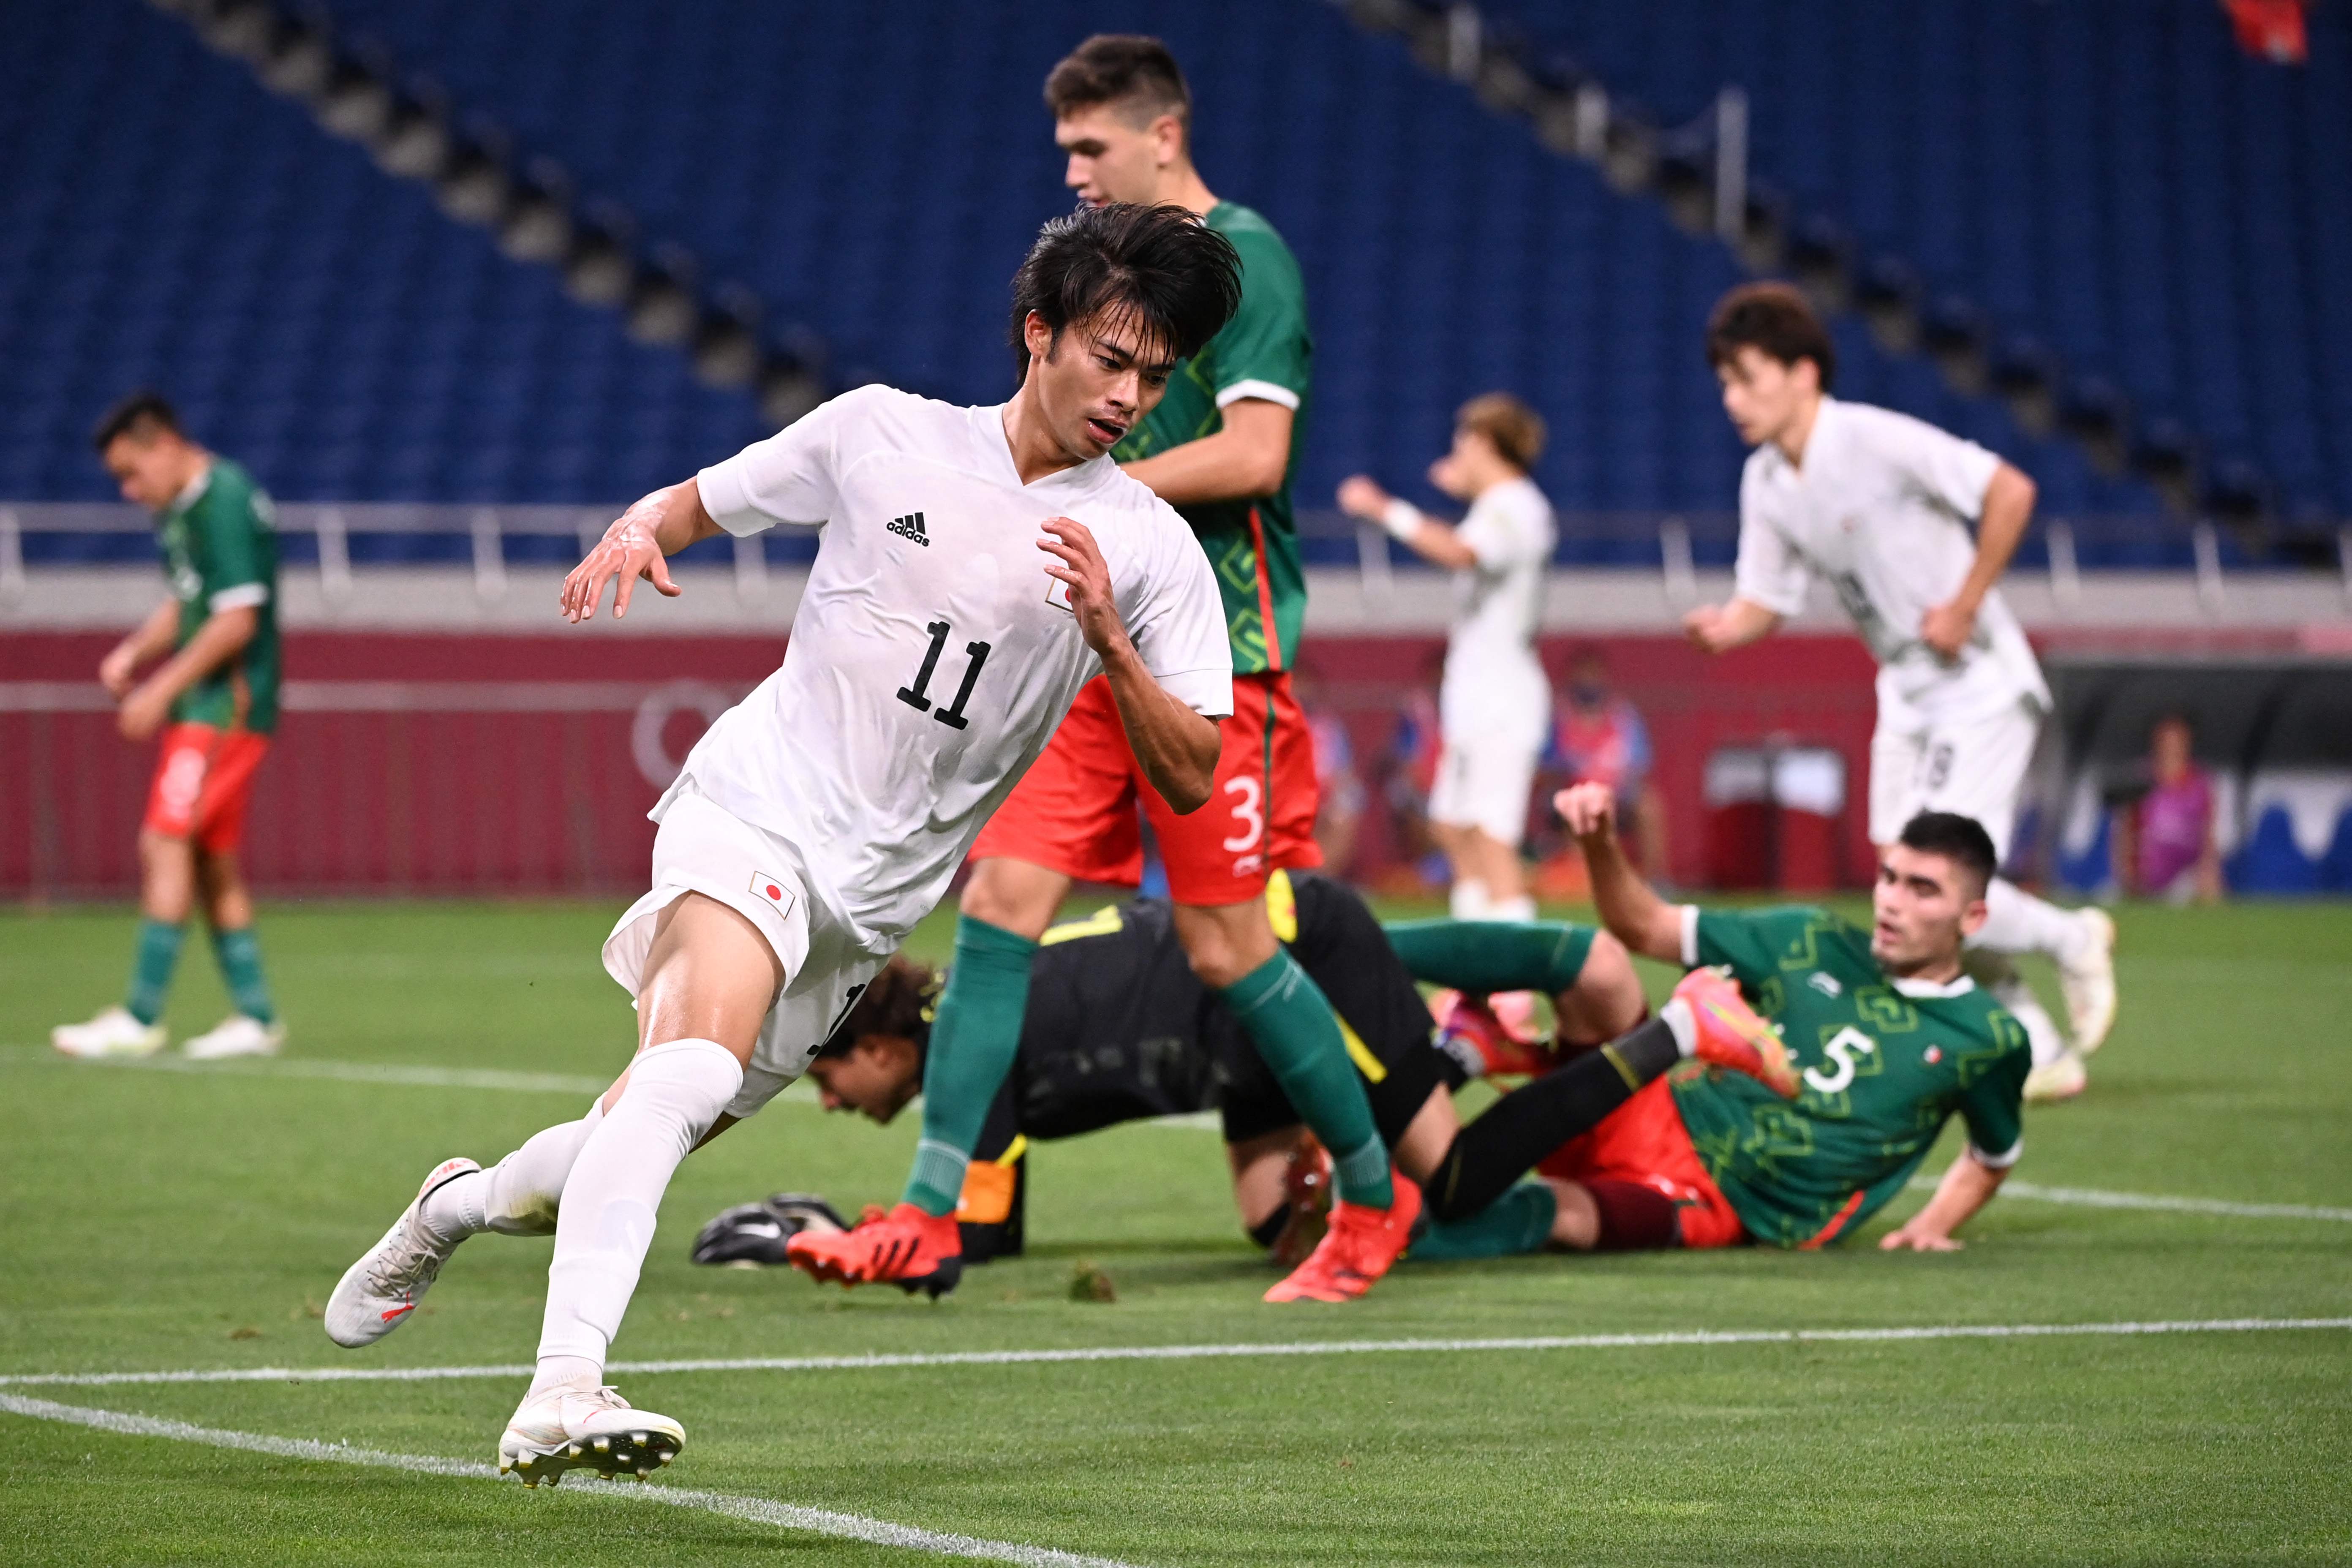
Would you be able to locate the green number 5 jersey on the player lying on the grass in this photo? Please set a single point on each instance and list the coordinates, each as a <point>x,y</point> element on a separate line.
<point>1883,1061</point>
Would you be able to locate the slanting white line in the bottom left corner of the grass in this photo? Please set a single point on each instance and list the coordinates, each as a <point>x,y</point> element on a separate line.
<point>761,1510</point>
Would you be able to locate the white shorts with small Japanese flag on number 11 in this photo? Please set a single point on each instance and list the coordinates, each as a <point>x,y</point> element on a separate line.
<point>704,850</point>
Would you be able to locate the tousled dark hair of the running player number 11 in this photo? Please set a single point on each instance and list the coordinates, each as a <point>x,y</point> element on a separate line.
<point>1156,267</point>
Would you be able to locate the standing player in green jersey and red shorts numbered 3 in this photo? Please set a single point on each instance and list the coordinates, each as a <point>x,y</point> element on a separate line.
<point>1220,448</point>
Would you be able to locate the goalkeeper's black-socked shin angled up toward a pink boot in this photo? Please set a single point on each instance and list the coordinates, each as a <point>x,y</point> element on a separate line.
<point>1530,1123</point>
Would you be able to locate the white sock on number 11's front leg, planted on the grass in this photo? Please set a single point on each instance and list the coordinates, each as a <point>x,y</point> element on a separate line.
<point>674,1094</point>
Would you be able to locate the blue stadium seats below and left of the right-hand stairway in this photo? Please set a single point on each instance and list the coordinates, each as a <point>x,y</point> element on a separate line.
<point>323,309</point>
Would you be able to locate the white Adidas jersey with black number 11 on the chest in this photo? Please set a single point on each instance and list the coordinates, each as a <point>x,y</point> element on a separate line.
<point>933,657</point>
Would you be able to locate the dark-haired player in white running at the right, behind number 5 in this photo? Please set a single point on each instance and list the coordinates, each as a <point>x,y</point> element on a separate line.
<point>1878,507</point>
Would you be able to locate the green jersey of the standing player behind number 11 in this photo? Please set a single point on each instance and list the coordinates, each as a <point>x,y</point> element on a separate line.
<point>1264,351</point>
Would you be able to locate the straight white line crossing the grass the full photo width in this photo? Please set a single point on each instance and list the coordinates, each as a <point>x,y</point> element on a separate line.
<point>1205,1353</point>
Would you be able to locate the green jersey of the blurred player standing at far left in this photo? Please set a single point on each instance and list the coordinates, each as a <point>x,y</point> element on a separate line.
<point>220,551</point>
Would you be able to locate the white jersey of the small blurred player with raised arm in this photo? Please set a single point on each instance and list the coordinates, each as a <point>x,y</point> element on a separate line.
<point>1492,669</point>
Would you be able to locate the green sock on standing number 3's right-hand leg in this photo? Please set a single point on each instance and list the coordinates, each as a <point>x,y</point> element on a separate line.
<point>1297,1033</point>
